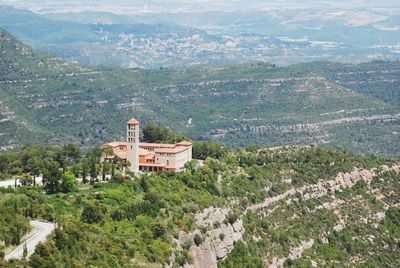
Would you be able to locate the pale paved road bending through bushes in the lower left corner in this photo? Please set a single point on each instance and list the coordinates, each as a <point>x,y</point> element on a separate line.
<point>43,230</point>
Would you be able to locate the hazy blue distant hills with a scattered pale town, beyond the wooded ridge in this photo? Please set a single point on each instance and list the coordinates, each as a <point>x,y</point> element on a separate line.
<point>151,40</point>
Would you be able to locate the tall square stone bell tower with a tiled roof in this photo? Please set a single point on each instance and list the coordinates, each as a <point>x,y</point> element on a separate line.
<point>132,139</point>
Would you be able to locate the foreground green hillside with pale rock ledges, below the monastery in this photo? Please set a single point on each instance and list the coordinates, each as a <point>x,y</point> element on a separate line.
<point>268,207</point>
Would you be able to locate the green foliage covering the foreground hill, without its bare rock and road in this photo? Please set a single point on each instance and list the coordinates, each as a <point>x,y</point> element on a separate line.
<point>135,222</point>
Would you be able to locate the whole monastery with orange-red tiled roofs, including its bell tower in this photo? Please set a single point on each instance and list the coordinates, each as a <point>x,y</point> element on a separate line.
<point>149,156</point>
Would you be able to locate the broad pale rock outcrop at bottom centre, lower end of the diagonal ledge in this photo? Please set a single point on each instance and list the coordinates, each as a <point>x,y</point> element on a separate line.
<point>219,239</point>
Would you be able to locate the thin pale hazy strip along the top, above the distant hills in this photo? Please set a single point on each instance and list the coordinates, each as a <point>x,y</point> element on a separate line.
<point>134,6</point>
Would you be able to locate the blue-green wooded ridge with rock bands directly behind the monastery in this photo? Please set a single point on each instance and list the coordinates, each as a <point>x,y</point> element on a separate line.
<point>49,100</point>
